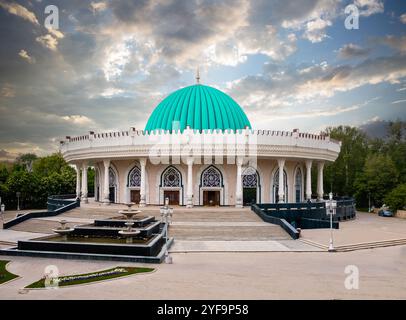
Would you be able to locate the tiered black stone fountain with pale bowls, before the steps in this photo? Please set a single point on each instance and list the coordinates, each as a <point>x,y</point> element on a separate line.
<point>143,239</point>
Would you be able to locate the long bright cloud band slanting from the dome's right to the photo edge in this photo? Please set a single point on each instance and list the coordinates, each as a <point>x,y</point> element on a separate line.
<point>291,86</point>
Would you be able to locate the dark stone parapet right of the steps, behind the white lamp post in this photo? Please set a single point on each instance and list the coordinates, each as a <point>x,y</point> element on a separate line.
<point>306,215</point>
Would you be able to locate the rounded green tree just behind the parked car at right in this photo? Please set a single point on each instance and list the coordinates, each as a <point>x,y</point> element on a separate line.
<point>378,177</point>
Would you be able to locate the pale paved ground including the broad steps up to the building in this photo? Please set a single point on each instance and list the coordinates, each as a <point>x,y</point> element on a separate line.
<point>227,253</point>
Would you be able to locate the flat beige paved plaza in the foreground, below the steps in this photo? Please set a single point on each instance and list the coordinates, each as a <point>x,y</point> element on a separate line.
<point>271,275</point>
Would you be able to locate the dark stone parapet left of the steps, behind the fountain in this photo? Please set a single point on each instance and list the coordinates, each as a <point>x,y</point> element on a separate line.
<point>55,206</point>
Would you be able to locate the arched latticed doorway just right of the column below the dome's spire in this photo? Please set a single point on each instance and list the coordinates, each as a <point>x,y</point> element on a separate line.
<point>211,186</point>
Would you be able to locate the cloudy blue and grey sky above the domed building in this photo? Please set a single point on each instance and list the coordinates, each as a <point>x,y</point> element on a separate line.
<point>106,65</point>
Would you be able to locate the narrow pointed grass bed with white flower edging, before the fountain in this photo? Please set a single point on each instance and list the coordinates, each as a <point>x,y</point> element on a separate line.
<point>91,277</point>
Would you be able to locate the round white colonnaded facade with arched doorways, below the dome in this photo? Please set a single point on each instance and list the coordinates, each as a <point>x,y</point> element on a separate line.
<point>200,168</point>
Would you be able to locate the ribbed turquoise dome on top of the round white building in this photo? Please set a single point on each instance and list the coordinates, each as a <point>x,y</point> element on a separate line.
<point>200,107</point>
